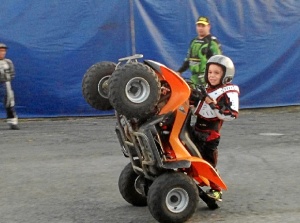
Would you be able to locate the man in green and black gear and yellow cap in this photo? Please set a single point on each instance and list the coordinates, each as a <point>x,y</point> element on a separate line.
<point>201,49</point>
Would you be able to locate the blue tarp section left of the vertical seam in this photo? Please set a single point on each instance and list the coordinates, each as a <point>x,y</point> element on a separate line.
<point>53,43</point>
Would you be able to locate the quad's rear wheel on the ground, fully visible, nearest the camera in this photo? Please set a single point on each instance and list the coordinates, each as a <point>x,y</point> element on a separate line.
<point>173,197</point>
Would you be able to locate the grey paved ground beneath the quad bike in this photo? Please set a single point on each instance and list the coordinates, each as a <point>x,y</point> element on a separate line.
<point>66,171</point>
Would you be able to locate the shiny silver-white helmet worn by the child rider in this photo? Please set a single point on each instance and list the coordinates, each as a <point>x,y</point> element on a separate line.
<point>227,65</point>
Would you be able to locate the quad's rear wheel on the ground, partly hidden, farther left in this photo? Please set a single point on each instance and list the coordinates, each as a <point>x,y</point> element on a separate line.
<point>130,187</point>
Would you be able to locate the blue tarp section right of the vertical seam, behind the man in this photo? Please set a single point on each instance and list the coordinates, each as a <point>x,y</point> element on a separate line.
<point>261,37</point>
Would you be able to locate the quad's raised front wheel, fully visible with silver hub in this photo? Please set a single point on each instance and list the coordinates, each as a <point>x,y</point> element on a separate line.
<point>134,90</point>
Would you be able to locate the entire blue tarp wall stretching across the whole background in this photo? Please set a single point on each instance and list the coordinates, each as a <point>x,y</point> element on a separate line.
<point>53,43</point>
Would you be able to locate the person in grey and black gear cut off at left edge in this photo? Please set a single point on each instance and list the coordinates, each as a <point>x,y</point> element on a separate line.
<point>7,73</point>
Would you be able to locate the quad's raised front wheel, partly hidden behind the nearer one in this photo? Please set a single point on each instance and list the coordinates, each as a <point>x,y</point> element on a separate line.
<point>95,85</point>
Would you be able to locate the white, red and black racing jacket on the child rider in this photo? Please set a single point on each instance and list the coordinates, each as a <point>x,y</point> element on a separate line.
<point>211,119</point>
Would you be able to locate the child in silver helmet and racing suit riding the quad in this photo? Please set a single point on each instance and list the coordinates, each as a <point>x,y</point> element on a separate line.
<point>216,103</point>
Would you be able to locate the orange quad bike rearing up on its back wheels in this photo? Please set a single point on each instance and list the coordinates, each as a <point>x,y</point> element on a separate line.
<point>153,126</point>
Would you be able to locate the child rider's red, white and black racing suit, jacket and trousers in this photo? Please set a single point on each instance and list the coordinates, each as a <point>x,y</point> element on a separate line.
<point>210,120</point>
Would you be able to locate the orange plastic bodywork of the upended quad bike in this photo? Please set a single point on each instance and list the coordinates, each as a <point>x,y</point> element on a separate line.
<point>178,103</point>
